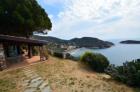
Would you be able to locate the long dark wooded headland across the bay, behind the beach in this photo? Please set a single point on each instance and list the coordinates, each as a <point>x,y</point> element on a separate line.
<point>88,42</point>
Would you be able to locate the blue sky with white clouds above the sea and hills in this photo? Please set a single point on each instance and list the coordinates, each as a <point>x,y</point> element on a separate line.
<point>104,19</point>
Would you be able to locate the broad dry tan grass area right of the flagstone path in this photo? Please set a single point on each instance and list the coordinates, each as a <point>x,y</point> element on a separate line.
<point>69,76</point>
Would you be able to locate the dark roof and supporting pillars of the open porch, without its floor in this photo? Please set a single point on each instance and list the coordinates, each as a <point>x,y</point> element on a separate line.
<point>6,41</point>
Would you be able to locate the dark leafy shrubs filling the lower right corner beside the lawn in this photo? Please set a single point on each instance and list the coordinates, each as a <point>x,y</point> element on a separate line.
<point>128,73</point>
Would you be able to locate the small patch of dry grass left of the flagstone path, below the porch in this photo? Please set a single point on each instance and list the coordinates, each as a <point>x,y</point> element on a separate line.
<point>10,81</point>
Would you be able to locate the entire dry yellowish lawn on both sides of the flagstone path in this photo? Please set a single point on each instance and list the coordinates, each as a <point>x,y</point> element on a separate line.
<point>64,76</point>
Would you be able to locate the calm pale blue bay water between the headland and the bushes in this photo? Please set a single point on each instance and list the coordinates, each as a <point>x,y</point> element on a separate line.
<point>117,54</point>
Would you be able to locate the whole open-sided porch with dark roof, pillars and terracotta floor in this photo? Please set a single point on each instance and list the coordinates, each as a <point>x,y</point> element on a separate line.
<point>12,52</point>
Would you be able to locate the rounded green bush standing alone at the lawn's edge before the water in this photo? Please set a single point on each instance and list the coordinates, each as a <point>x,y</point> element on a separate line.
<point>97,62</point>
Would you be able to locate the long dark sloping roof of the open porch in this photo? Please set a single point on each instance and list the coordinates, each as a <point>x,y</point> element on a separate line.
<point>20,40</point>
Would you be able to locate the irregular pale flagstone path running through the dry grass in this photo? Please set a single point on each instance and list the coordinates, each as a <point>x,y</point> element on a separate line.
<point>34,82</point>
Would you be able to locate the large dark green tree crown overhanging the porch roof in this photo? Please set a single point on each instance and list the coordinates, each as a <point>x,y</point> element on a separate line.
<point>22,17</point>
